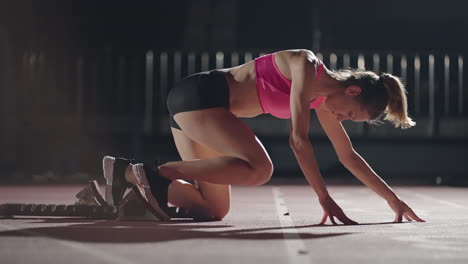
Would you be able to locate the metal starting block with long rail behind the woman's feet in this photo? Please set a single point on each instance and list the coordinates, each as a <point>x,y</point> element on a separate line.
<point>92,205</point>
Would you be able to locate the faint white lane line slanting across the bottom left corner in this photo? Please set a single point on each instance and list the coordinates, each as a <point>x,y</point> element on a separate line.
<point>88,250</point>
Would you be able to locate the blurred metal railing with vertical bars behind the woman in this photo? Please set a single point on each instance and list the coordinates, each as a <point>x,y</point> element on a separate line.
<point>117,87</point>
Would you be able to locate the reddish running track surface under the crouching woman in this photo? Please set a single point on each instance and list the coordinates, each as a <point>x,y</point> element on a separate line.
<point>266,224</point>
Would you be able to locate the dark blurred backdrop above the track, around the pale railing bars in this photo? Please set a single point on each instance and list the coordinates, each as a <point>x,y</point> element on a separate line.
<point>58,56</point>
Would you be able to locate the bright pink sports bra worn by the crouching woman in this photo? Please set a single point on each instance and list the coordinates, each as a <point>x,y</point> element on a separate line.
<point>274,89</point>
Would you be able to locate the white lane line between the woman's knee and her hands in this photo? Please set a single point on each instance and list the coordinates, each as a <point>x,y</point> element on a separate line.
<point>297,251</point>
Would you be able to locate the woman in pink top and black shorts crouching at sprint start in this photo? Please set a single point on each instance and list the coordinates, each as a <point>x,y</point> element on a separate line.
<point>218,150</point>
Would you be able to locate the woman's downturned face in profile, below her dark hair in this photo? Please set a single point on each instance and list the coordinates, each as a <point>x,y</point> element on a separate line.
<point>345,106</point>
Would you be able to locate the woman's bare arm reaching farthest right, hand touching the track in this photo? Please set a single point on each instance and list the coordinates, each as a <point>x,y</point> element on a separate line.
<point>359,167</point>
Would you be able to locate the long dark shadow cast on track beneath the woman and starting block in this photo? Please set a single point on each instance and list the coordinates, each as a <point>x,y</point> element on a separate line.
<point>83,230</point>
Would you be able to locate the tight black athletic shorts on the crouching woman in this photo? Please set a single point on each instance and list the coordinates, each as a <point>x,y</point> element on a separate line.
<point>198,91</point>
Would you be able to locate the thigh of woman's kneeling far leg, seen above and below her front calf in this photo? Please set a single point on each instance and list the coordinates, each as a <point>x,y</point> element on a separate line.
<point>216,194</point>
